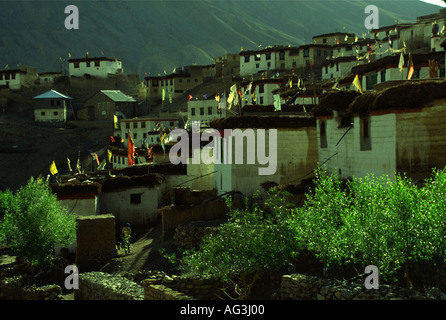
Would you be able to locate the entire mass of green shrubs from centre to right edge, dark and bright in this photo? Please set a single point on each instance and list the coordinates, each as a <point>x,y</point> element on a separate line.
<point>371,220</point>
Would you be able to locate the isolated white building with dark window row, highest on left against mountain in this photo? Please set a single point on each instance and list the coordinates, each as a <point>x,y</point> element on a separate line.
<point>98,67</point>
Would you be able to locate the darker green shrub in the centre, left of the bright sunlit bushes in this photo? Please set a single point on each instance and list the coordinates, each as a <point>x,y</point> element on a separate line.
<point>254,240</point>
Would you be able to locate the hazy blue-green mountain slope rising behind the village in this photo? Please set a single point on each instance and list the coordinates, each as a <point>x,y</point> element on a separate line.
<point>153,36</point>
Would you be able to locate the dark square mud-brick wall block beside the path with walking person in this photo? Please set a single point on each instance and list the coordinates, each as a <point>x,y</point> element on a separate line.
<point>96,241</point>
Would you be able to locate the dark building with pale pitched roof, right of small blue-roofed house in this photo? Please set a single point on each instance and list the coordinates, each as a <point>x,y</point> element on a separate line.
<point>106,104</point>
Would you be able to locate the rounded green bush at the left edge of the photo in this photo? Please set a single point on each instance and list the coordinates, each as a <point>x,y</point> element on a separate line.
<point>35,222</point>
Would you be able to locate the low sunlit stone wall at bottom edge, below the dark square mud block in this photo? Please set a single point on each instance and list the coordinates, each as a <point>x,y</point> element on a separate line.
<point>104,286</point>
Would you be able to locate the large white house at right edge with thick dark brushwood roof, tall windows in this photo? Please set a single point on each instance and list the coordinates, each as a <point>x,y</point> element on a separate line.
<point>395,130</point>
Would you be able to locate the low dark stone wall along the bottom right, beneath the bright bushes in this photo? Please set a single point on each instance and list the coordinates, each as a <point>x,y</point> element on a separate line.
<point>302,287</point>
